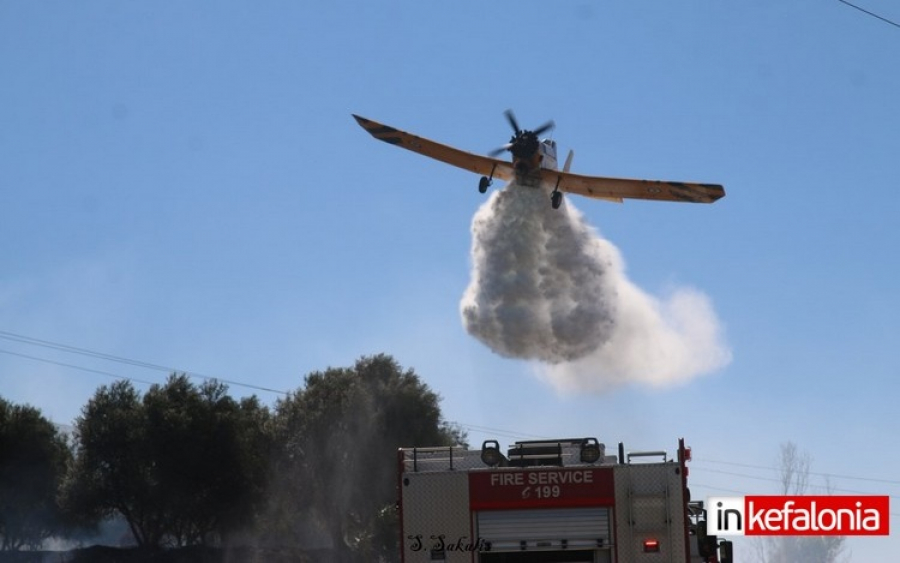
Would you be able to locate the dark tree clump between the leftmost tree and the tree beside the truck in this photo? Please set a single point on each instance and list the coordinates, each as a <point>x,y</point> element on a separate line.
<point>183,465</point>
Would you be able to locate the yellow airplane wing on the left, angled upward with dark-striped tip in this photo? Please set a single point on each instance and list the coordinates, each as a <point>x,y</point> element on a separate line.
<point>484,165</point>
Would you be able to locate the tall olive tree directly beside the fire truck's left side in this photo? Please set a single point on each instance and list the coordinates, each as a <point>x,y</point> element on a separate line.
<point>339,437</point>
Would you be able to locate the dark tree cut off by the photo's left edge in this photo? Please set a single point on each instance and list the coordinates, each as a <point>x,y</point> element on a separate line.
<point>33,460</point>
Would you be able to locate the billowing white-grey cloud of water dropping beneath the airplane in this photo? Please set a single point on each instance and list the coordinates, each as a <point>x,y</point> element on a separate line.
<point>545,286</point>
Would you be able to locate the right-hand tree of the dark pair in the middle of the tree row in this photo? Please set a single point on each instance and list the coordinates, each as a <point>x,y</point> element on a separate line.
<point>210,452</point>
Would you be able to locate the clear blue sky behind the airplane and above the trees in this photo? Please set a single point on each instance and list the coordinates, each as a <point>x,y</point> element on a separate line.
<point>183,184</point>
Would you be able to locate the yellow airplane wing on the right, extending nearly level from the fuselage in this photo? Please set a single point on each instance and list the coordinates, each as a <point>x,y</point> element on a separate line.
<point>617,189</point>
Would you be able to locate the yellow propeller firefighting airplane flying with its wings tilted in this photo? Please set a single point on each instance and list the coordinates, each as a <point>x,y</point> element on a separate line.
<point>534,164</point>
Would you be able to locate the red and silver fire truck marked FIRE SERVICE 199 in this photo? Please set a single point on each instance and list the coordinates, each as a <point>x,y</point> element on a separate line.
<point>550,501</point>
